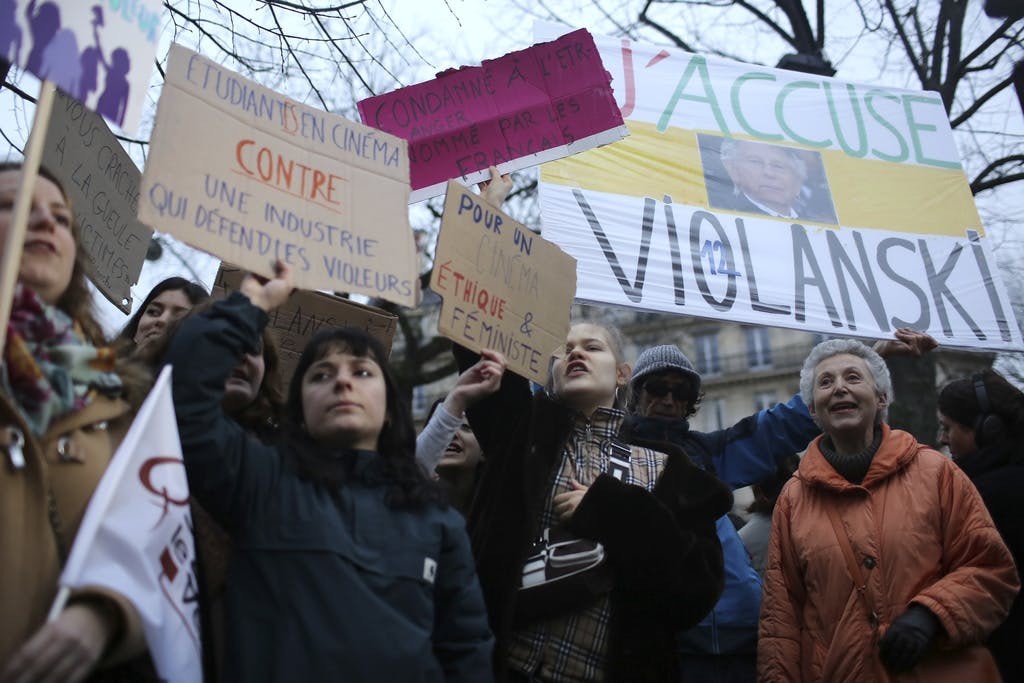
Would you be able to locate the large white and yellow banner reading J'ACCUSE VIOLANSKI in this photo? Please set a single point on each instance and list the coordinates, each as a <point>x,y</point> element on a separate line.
<point>778,198</point>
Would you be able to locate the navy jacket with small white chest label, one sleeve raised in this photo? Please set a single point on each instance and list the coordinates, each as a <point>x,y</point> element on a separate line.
<point>325,584</point>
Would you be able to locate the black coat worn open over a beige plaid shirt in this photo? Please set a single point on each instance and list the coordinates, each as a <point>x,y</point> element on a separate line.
<point>663,545</point>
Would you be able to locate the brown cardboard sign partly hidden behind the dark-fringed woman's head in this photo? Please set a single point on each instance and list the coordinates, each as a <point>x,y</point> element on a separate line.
<point>306,314</point>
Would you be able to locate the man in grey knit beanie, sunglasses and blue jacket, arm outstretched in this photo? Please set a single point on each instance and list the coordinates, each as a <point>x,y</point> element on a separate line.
<point>664,394</point>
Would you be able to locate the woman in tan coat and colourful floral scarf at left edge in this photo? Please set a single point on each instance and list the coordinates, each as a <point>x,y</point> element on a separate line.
<point>66,402</point>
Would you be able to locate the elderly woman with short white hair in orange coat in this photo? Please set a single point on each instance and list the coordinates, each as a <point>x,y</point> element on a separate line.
<point>884,564</point>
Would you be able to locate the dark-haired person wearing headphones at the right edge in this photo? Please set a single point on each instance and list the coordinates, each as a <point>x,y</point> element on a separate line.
<point>982,421</point>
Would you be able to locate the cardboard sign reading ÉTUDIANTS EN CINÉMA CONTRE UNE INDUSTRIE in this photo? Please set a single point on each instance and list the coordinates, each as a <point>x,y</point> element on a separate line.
<point>252,177</point>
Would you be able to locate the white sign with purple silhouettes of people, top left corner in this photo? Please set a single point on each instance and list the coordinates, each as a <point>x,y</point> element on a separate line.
<point>100,53</point>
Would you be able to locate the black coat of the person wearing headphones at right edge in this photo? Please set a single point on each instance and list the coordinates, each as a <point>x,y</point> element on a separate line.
<point>1000,480</point>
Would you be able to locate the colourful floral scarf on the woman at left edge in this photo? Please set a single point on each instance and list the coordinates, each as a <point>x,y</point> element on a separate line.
<point>50,370</point>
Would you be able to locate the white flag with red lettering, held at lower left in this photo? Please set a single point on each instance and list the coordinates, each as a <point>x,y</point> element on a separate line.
<point>137,538</point>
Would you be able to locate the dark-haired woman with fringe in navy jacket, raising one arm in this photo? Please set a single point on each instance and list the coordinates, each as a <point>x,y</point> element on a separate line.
<point>347,565</point>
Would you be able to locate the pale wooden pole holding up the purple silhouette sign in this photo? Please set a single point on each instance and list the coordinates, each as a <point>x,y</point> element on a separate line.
<point>15,242</point>
